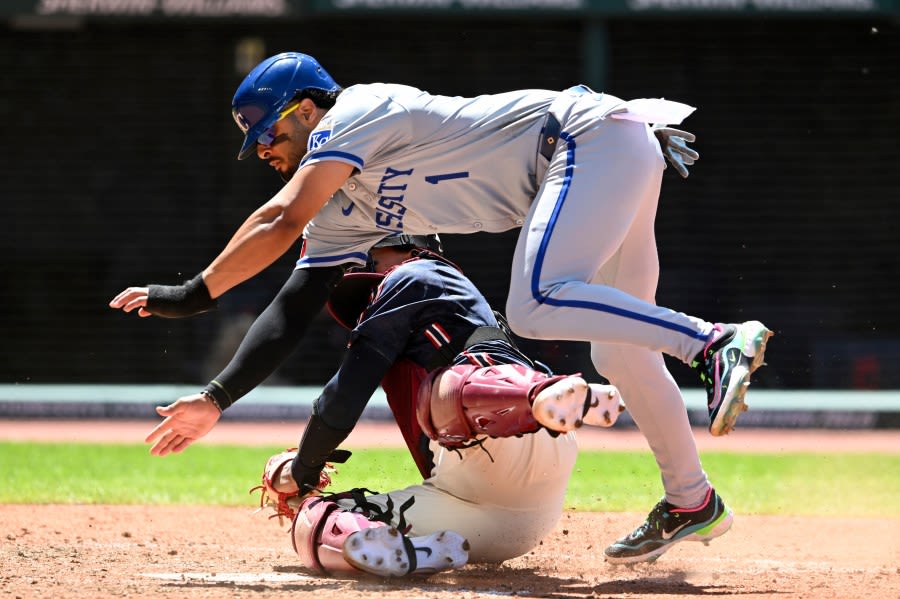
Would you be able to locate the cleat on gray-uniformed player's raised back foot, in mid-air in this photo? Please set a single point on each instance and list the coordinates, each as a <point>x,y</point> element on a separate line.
<point>725,366</point>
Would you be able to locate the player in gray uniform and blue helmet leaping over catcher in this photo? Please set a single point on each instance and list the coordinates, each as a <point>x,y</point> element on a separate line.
<point>579,172</point>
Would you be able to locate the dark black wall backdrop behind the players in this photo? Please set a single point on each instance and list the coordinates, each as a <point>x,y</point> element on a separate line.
<point>118,168</point>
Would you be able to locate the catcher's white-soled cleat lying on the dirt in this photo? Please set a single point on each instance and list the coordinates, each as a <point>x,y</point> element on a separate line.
<point>386,552</point>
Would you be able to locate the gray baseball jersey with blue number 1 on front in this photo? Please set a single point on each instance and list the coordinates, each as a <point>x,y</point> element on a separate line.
<point>426,164</point>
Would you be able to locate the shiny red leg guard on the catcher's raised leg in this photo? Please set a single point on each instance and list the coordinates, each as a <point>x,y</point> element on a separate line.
<point>458,403</point>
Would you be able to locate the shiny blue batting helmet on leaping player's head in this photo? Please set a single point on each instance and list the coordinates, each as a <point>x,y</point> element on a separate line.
<point>271,86</point>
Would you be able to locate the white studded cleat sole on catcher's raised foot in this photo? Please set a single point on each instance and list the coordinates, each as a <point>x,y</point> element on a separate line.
<point>567,404</point>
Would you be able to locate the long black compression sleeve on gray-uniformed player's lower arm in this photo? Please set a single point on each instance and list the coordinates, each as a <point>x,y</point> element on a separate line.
<point>275,333</point>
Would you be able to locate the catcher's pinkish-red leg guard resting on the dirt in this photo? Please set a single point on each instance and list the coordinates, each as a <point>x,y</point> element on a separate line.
<point>319,531</point>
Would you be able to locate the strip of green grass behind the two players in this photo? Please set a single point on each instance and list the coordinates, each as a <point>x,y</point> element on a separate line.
<point>813,484</point>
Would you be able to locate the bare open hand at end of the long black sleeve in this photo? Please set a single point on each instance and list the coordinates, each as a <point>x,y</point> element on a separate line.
<point>186,420</point>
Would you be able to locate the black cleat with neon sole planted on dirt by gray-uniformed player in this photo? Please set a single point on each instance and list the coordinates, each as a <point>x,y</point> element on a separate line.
<point>667,525</point>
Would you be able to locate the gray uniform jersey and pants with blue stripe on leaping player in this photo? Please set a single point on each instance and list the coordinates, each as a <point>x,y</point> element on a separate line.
<point>585,267</point>
